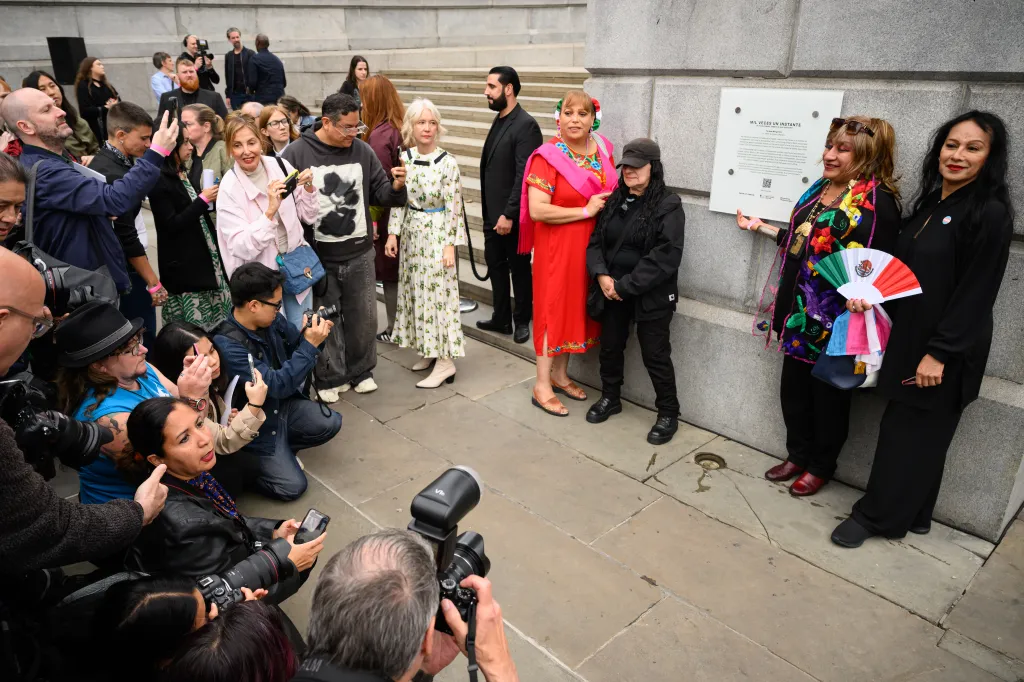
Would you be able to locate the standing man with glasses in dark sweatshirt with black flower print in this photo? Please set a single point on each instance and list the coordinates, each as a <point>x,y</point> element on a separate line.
<point>350,179</point>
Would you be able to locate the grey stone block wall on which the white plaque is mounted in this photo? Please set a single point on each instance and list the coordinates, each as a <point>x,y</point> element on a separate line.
<point>658,69</point>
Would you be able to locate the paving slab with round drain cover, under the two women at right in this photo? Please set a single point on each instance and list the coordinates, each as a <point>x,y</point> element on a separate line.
<point>924,575</point>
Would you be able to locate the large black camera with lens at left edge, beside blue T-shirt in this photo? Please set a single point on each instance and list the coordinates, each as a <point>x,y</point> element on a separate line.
<point>42,433</point>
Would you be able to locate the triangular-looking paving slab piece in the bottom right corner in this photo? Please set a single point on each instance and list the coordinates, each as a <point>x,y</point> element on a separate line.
<point>993,611</point>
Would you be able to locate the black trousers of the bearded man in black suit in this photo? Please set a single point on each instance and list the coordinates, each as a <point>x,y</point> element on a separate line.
<point>501,252</point>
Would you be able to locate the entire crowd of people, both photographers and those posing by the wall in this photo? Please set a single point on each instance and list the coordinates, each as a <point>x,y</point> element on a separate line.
<point>274,229</point>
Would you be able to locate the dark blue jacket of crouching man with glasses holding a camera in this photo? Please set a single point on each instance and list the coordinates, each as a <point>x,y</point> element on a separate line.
<point>284,358</point>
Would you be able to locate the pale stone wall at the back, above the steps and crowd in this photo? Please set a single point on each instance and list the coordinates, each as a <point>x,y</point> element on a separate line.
<point>316,38</point>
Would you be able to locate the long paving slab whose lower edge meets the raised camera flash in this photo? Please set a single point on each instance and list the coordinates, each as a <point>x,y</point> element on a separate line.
<point>578,495</point>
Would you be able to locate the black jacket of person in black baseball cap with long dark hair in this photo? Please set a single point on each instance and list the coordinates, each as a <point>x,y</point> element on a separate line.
<point>653,283</point>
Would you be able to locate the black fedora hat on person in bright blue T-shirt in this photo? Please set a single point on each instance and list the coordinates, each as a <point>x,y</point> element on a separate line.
<point>93,332</point>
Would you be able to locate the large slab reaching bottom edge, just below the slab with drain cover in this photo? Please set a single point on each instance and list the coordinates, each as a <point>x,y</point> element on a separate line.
<point>824,625</point>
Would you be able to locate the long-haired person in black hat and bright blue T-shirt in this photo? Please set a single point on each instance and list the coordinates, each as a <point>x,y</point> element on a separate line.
<point>104,375</point>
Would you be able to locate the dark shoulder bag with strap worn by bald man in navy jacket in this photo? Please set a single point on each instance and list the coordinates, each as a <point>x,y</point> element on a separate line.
<point>66,282</point>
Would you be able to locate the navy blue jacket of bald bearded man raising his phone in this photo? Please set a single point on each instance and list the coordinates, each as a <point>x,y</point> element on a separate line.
<point>73,212</point>
